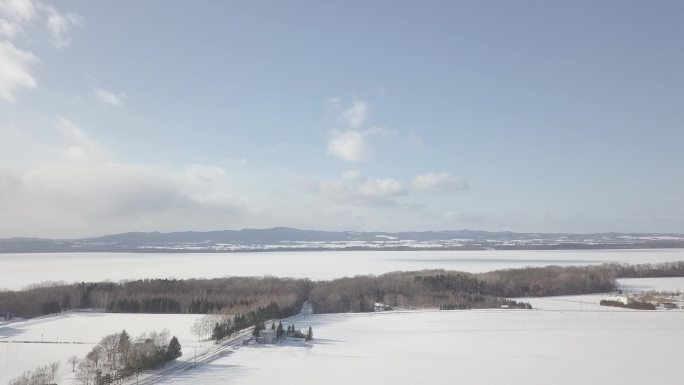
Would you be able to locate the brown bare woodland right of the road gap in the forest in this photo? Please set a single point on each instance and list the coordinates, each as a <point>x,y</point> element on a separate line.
<point>457,290</point>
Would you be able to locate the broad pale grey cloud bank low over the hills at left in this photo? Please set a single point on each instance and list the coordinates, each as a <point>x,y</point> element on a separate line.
<point>93,197</point>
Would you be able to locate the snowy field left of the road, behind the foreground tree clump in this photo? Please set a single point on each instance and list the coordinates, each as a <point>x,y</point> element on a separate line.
<point>77,334</point>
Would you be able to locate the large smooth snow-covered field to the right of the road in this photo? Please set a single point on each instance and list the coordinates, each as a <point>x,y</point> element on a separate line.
<point>470,347</point>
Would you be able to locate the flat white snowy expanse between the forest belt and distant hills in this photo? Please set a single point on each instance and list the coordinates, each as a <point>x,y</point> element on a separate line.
<point>19,270</point>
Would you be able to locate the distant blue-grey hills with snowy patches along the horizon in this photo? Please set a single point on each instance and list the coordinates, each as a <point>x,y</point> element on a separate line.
<point>284,238</point>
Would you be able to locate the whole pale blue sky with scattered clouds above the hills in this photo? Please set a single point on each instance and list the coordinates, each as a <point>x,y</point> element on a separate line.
<point>528,116</point>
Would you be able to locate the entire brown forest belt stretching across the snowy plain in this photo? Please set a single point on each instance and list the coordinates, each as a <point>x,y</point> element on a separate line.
<point>252,296</point>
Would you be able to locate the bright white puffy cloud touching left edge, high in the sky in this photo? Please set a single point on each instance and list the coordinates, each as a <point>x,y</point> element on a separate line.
<point>15,70</point>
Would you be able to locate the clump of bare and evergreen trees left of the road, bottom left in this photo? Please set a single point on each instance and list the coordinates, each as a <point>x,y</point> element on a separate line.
<point>118,357</point>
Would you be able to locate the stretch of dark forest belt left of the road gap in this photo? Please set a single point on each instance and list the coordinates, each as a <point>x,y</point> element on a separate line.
<point>237,295</point>
